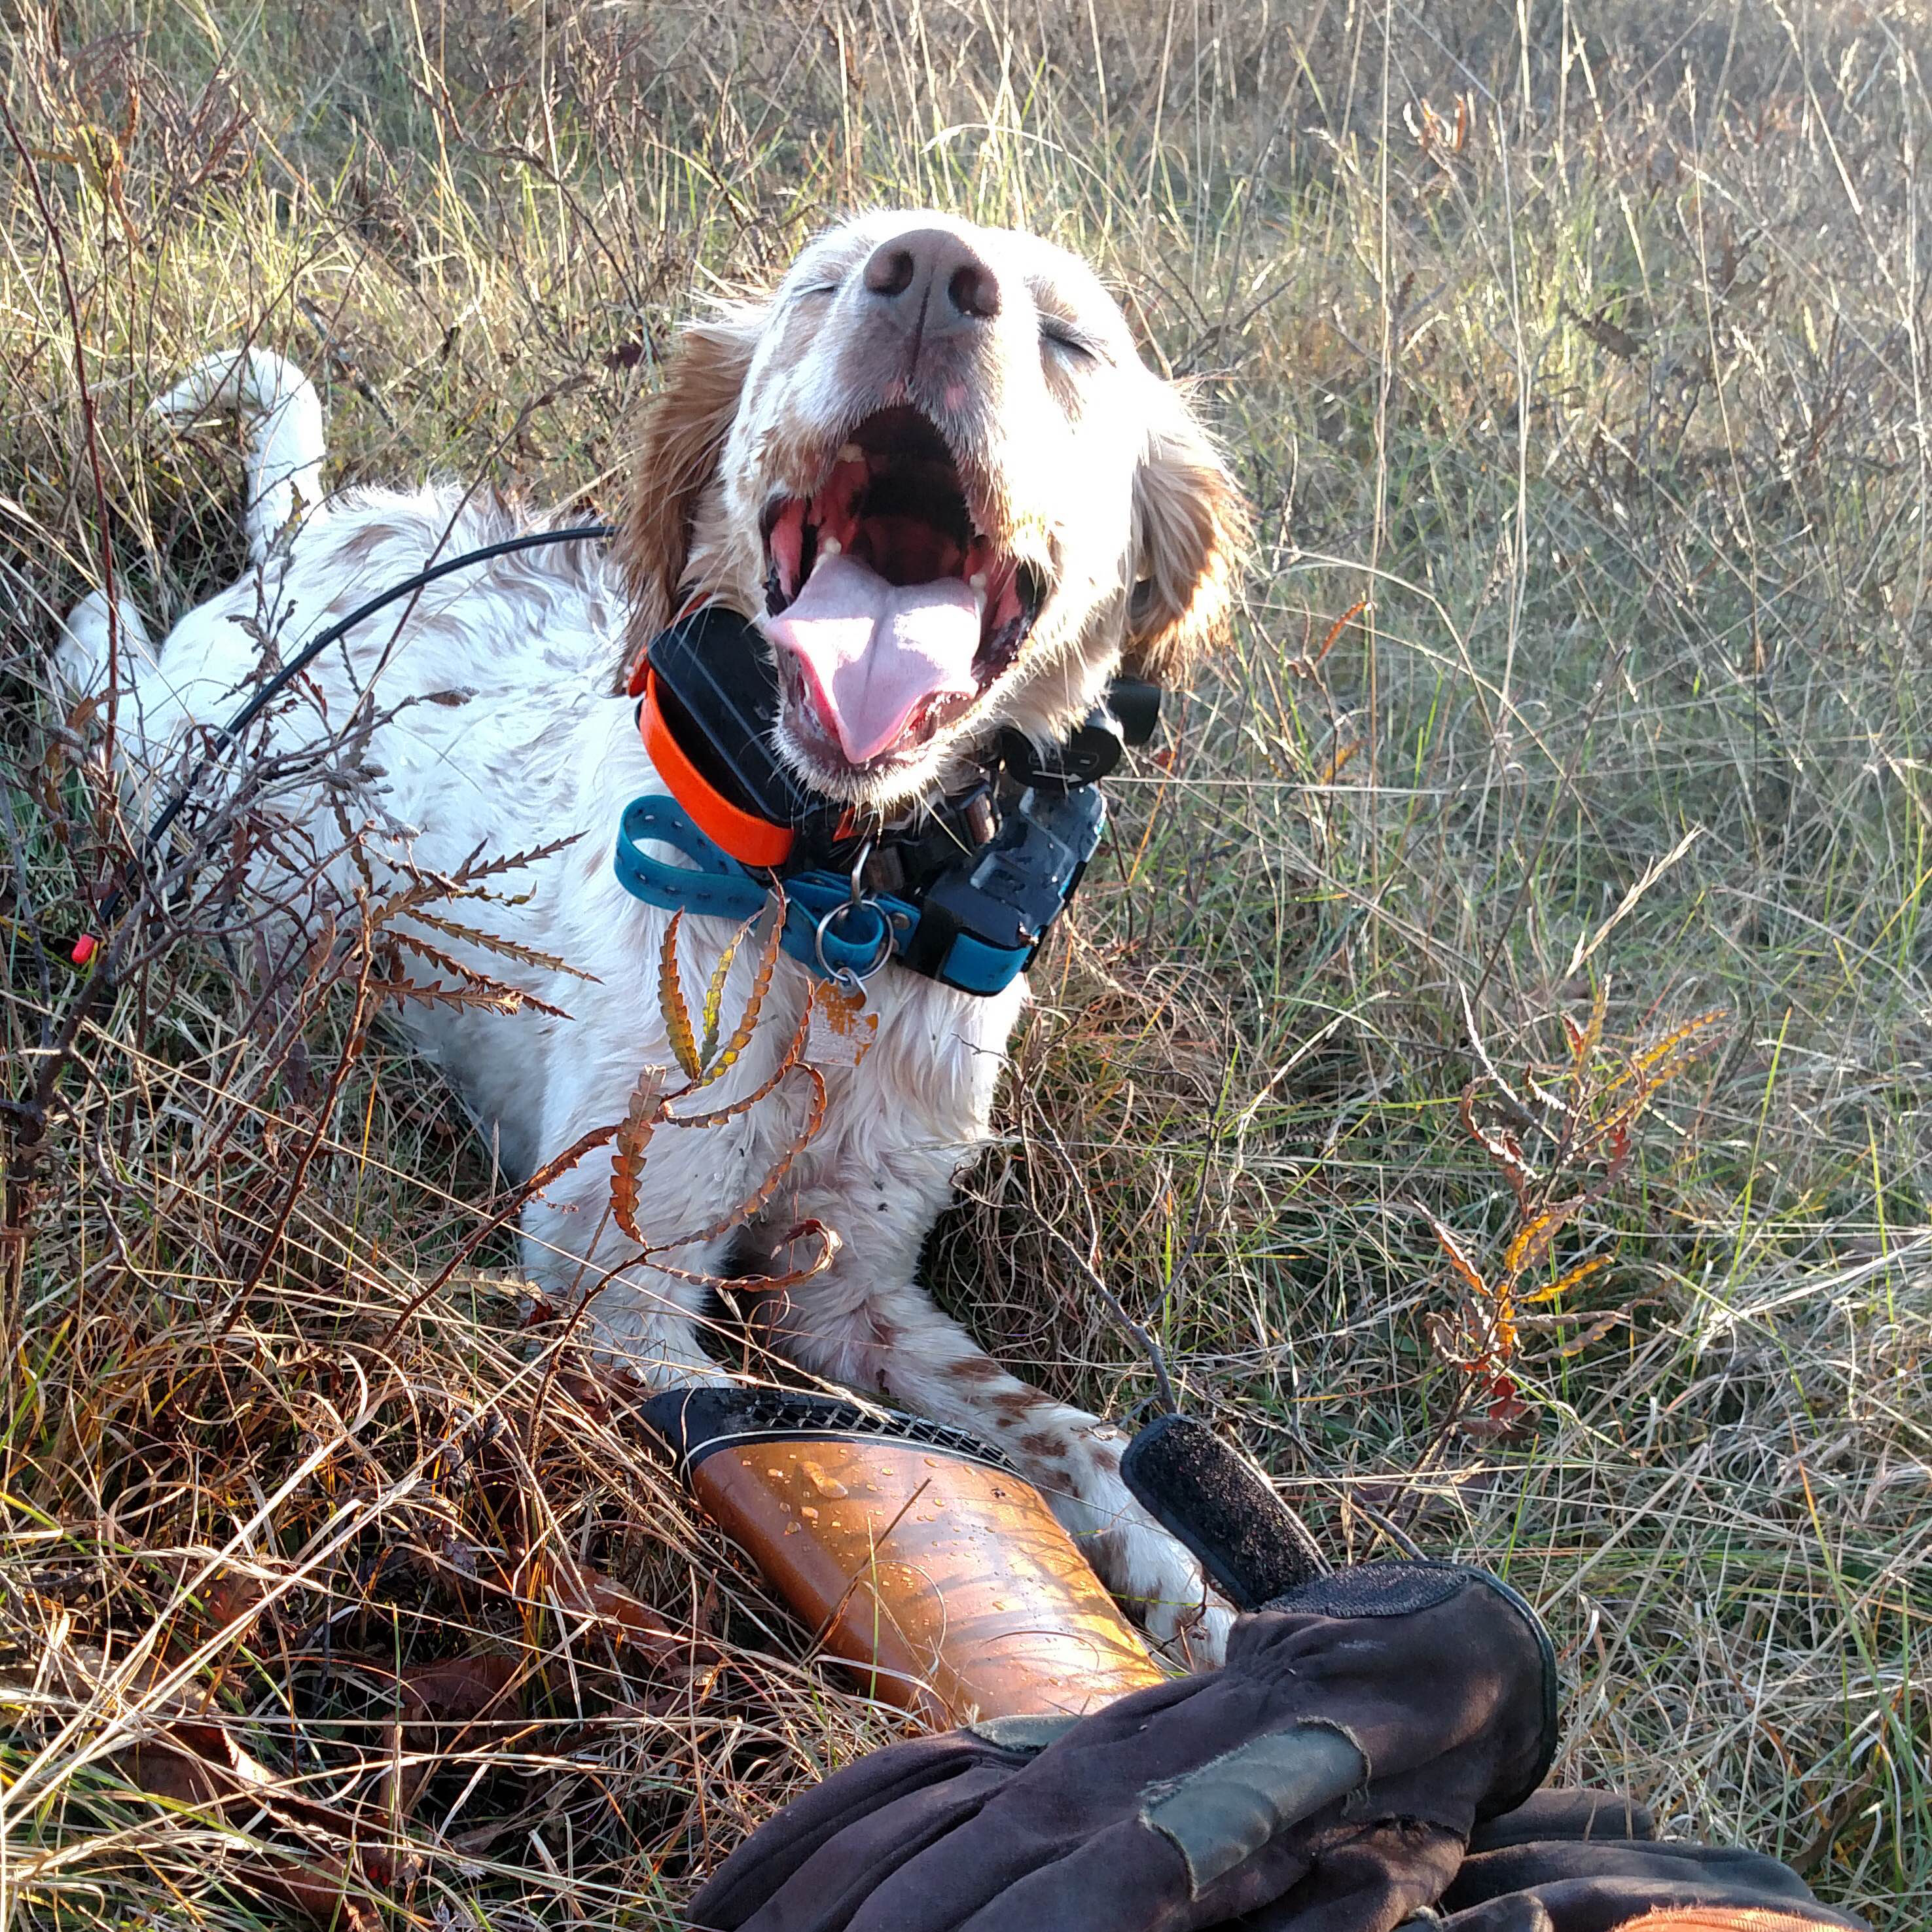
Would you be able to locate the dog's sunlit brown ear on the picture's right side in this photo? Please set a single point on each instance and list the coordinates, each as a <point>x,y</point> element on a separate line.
<point>1191,532</point>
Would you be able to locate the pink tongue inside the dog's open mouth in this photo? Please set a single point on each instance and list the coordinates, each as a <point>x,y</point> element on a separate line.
<point>876,652</point>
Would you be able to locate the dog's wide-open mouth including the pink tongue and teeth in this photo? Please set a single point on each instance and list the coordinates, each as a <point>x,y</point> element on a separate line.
<point>892,611</point>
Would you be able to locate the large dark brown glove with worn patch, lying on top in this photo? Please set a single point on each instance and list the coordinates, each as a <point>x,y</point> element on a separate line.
<point>1326,1776</point>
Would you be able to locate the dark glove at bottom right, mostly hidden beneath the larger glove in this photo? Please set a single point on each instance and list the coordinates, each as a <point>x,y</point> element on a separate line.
<point>1585,1861</point>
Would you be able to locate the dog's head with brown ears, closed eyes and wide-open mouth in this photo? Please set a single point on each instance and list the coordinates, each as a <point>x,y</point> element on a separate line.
<point>938,474</point>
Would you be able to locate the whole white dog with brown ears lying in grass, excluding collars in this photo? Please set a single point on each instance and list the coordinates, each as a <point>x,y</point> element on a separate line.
<point>936,472</point>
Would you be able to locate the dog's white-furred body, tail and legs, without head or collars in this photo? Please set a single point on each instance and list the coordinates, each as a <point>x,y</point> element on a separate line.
<point>540,751</point>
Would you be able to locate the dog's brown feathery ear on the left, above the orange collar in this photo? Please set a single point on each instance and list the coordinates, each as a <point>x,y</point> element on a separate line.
<point>685,432</point>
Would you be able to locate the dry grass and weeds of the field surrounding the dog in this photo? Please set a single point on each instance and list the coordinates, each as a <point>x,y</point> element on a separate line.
<point>1589,349</point>
